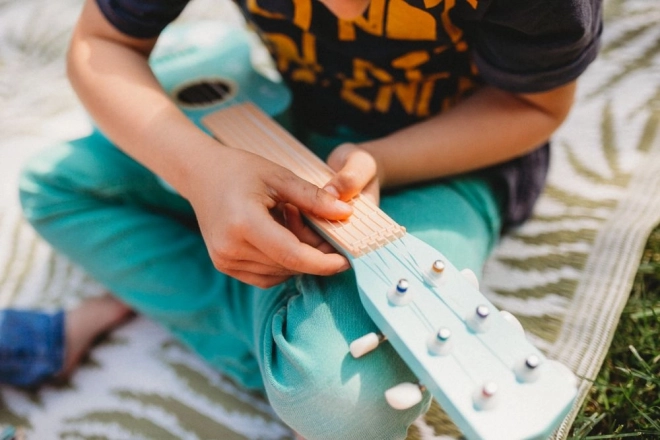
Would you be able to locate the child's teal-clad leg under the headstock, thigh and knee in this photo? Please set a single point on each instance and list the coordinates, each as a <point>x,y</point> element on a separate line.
<point>311,379</point>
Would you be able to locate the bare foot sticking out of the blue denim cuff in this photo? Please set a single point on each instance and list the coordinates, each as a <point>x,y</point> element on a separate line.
<point>92,318</point>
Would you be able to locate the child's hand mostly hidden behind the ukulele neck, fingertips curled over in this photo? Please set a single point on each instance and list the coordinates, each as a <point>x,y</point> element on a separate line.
<point>357,172</point>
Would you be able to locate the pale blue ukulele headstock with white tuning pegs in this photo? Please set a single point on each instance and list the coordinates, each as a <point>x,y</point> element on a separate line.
<point>474,359</point>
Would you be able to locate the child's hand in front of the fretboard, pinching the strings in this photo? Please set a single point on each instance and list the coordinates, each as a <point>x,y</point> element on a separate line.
<point>239,210</point>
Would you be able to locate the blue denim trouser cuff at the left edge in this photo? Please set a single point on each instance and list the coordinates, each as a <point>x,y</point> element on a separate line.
<point>31,346</point>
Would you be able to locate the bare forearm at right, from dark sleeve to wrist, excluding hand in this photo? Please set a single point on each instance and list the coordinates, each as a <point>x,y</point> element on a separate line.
<point>490,127</point>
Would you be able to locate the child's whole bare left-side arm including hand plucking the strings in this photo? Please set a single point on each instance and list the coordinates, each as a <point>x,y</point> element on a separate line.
<point>232,192</point>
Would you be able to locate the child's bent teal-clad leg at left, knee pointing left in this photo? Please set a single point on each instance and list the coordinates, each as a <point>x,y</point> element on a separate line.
<point>112,216</point>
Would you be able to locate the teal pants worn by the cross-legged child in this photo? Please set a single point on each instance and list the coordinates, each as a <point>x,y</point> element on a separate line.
<point>115,219</point>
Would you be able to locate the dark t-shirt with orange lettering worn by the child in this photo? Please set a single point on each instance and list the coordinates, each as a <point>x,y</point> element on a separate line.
<point>405,60</point>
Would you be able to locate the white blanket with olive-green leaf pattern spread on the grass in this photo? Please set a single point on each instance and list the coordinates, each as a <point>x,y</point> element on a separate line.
<point>566,274</point>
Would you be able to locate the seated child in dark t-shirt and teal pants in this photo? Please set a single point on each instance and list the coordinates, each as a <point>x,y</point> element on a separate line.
<point>441,109</point>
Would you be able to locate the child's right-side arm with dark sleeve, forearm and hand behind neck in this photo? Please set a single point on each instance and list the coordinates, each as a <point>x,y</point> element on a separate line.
<point>533,49</point>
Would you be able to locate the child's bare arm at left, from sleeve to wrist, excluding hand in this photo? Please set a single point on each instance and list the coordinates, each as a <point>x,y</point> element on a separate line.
<point>111,75</point>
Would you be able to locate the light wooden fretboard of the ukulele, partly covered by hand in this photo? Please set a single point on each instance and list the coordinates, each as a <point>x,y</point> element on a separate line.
<point>245,127</point>
